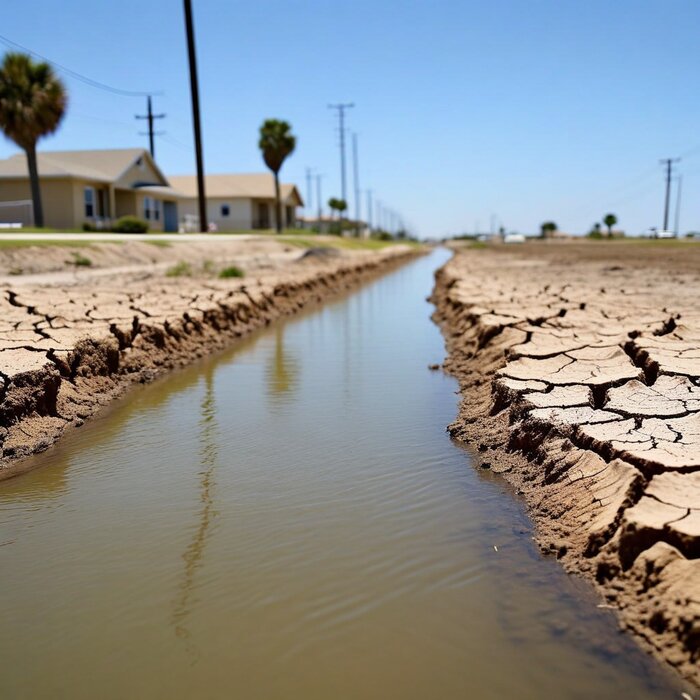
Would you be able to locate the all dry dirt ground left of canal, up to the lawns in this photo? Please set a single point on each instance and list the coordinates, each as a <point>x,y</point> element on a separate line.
<point>70,342</point>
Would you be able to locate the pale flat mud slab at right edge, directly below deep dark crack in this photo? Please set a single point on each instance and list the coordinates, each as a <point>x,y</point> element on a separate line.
<point>669,396</point>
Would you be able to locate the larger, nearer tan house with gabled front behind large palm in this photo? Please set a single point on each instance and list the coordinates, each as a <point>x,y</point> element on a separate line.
<point>94,187</point>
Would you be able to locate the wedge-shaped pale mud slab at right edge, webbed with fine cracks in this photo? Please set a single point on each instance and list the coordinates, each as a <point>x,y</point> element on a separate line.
<point>672,443</point>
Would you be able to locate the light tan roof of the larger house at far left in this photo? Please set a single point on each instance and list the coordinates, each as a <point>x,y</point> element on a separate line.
<point>103,165</point>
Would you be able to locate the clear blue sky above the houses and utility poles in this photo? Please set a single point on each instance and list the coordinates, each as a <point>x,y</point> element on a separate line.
<point>523,109</point>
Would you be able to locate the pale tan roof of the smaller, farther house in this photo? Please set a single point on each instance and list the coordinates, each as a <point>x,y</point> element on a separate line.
<point>245,186</point>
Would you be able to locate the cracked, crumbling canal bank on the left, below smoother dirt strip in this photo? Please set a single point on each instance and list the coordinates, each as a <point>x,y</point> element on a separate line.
<point>66,370</point>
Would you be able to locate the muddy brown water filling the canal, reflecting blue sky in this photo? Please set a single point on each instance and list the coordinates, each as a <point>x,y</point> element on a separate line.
<point>290,520</point>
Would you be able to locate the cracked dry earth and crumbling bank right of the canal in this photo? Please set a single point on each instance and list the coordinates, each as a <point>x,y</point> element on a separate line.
<point>579,367</point>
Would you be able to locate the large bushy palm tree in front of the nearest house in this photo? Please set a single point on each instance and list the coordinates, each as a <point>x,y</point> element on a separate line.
<point>32,103</point>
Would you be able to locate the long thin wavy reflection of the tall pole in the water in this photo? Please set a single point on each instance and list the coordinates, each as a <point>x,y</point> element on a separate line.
<point>192,556</point>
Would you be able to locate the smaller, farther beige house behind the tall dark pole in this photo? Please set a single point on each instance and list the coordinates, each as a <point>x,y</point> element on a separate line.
<point>238,202</point>
